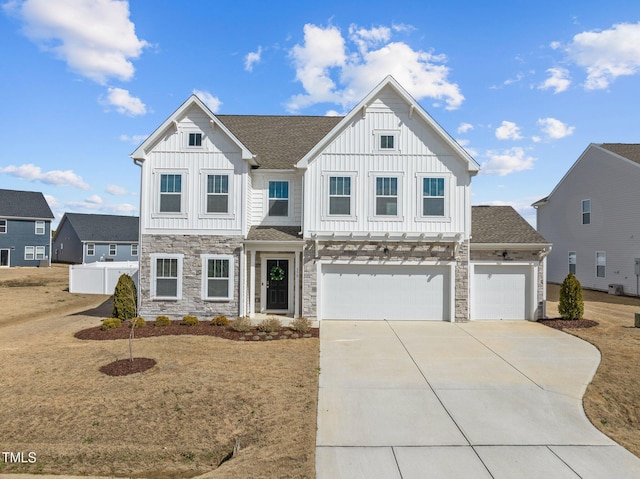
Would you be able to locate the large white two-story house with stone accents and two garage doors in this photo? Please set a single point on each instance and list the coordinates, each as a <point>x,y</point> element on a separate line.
<point>366,216</point>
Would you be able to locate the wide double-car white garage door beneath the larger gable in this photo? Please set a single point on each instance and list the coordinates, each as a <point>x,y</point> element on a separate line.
<point>384,292</point>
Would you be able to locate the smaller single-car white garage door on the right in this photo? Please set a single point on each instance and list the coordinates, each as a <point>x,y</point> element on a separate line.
<point>501,292</point>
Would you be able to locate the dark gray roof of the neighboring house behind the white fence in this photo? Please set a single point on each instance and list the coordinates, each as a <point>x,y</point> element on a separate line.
<point>102,228</point>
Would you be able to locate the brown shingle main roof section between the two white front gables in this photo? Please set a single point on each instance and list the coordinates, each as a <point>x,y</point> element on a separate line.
<point>279,141</point>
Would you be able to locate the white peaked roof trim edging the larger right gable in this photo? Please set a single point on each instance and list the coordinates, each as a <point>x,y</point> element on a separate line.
<point>389,81</point>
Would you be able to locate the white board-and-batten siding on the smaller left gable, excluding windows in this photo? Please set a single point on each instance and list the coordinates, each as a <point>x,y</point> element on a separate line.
<point>171,155</point>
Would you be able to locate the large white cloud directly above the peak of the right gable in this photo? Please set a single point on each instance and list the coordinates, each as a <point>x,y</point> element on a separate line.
<point>329,72</point>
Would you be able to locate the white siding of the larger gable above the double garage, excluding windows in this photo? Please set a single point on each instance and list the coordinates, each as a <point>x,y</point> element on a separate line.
<point>419,152</point>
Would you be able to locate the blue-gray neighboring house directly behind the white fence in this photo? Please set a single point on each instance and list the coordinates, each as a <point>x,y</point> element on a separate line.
<point>87,238</point>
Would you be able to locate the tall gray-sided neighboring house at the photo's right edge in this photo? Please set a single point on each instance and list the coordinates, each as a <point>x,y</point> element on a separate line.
<point>592,217</point>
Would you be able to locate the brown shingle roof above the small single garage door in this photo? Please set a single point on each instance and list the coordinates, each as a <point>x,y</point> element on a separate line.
<point>501,224</point>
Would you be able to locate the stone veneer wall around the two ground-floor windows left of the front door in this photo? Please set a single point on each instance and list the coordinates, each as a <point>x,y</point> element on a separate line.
<point>192,246</point>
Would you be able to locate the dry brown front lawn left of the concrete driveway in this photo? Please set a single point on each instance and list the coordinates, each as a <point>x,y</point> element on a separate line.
<point>179,419</point>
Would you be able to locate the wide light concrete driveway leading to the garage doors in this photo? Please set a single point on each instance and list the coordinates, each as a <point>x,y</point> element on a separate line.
<point>412,400</point>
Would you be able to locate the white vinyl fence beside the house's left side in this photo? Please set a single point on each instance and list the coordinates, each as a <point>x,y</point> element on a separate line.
<point>100,277</point>
